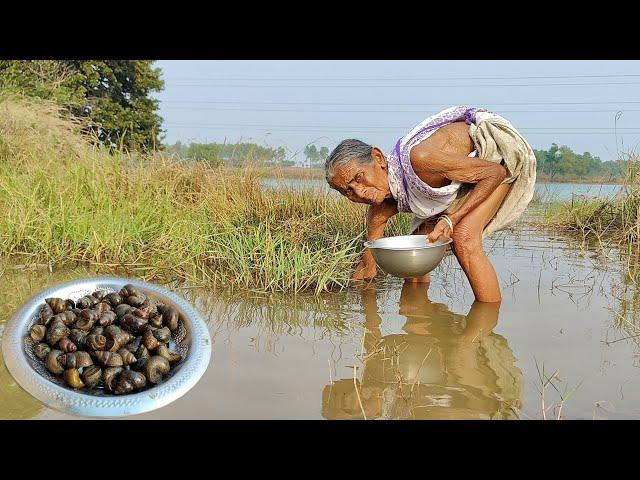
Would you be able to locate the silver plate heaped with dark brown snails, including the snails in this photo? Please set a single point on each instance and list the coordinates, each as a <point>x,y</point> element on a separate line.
<point>106,347</point>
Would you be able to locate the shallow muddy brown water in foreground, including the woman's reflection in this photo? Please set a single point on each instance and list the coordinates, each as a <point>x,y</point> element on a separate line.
<point>392,351</point>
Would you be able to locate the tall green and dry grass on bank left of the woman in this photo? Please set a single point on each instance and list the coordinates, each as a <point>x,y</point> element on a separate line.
<point>63,202</point>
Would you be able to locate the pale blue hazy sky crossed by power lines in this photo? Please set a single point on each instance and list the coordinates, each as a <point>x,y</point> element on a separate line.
<point>293,103</point>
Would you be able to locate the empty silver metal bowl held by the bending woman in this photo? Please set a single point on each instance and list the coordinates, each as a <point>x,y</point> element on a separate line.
<point>407,255</point>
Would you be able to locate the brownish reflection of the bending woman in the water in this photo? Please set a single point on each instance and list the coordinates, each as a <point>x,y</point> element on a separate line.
<point>445,366</point>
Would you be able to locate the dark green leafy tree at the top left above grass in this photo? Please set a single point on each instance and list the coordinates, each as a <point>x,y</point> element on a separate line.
<point>111,98</point>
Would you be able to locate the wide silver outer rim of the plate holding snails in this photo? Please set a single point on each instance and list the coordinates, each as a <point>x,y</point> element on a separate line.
<point>69,401</point>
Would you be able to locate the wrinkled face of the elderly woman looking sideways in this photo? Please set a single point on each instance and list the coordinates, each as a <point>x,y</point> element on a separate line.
<point>364,183</point>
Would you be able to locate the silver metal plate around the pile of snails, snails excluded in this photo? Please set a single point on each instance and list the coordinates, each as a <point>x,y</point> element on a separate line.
<point>191,339</point>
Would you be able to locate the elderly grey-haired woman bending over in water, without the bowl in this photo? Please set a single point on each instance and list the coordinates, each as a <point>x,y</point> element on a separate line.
<point>463,173</point>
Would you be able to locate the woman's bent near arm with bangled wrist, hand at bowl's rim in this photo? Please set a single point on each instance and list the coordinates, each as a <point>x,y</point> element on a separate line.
<point>459,168</point>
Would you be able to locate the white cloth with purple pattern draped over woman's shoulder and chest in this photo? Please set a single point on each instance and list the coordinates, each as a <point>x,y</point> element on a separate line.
<point>402,176</point>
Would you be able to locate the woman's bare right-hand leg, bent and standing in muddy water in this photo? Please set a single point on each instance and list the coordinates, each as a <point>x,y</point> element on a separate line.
<point>467,247</point>
